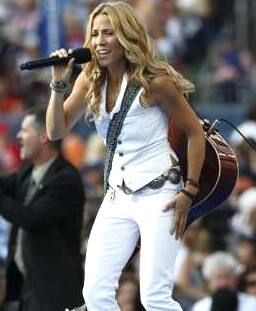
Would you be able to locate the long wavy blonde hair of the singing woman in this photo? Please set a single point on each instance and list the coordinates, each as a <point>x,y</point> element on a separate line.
<point>143,61</point>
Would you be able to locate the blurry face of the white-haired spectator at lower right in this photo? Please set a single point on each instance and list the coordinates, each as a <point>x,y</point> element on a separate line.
<point>223,279</point>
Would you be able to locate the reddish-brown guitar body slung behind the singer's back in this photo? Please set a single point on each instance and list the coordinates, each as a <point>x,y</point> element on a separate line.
<point>219,173</point>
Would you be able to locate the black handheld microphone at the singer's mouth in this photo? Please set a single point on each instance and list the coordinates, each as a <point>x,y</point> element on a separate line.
<point>81,56</point>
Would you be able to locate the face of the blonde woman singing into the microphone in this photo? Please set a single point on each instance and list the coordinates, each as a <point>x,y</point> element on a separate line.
<point>105,44</point>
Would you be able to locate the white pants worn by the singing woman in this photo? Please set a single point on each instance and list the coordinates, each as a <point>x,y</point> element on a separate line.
<point>121,220</point>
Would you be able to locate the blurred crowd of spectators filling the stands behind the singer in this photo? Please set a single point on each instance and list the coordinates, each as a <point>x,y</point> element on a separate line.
<point>198,37</point>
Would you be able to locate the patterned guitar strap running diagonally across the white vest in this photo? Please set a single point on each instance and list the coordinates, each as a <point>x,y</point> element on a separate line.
<point>115,127</point>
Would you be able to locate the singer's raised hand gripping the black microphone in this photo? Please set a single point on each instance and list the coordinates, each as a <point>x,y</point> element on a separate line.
<point>62,73</point>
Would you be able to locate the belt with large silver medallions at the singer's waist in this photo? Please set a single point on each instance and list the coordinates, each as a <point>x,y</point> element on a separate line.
<point>173,175</point>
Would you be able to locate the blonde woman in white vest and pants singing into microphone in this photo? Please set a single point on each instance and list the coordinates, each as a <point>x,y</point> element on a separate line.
<point>130,93</point>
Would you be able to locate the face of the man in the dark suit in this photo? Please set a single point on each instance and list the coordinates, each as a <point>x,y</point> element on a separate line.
<point>29,138</point>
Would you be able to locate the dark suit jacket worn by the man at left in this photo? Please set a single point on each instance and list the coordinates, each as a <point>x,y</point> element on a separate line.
<point>52,228</point>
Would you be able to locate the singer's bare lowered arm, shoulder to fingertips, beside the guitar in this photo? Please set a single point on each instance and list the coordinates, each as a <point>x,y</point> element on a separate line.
<point>164,92</point>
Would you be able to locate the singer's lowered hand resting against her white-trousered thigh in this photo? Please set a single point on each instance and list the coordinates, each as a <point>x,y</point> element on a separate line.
<point>181,204</point>
